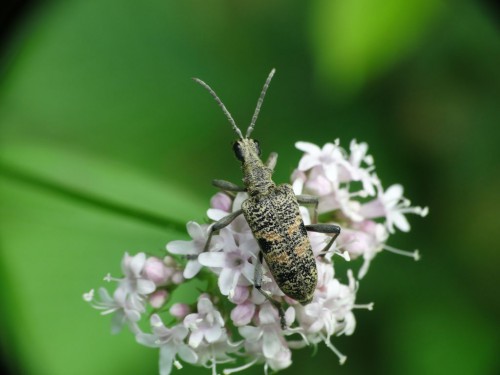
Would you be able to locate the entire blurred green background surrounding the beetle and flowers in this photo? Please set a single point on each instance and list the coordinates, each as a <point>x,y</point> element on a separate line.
<point>108,146</point>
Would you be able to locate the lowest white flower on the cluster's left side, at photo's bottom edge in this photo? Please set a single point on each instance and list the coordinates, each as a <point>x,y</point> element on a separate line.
<point>171,344</point>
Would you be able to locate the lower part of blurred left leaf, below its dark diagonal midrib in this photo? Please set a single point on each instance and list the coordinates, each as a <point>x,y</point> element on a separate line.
<point>52,252</point>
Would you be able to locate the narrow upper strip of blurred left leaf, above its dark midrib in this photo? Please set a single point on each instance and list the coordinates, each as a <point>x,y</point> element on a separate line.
<point>103,183</point>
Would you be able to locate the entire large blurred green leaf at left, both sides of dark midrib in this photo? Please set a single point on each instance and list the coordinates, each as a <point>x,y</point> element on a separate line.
<point>67,218</point>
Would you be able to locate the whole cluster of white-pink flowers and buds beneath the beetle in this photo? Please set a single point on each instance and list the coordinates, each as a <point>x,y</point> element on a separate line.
<point>231,321</point>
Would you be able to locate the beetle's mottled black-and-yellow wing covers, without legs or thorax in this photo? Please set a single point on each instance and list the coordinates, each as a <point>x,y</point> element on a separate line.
<point>278,228</point>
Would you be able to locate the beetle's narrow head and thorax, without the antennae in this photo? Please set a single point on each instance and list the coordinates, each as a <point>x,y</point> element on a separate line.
<point>257,177</point>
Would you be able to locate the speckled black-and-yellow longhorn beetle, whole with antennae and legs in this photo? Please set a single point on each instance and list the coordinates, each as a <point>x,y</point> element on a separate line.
<point>272,212</point>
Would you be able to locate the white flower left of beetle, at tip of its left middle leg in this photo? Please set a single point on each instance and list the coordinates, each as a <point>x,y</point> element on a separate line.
<point>191,249</point>
